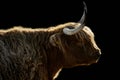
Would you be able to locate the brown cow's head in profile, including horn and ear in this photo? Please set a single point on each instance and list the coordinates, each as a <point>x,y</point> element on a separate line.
<point>77,43</point>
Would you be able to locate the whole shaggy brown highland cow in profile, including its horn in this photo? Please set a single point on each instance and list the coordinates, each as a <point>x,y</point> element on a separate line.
<point>40,54</point>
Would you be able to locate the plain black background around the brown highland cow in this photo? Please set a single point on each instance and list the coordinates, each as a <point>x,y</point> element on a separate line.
<point>100,18</point>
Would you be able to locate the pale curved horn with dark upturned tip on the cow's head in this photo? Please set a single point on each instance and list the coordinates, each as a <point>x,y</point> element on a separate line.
<point>80,24</point>
